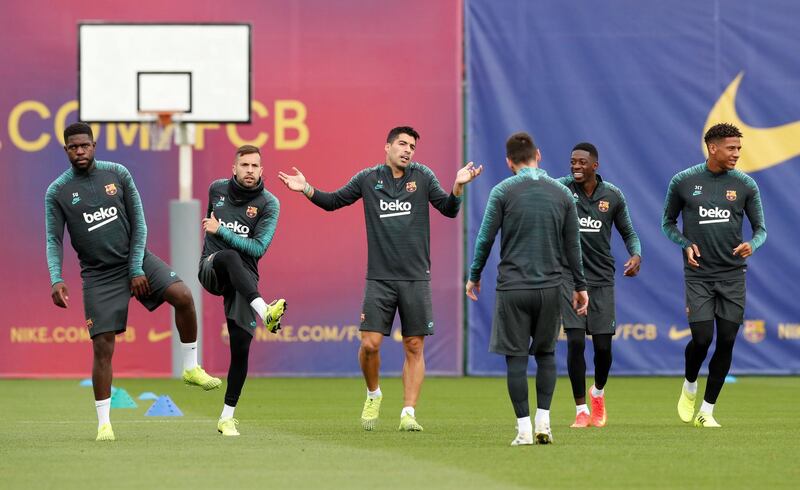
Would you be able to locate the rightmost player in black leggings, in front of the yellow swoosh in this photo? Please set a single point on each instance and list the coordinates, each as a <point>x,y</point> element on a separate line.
<point>712,198</point>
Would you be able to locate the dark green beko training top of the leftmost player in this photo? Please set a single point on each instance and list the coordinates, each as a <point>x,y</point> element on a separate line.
<point>103,213</point>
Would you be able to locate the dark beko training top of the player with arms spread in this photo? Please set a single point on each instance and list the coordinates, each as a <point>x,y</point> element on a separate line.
<point>397,217</point>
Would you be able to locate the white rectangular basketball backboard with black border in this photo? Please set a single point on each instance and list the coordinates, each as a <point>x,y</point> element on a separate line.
<point>131,72</point>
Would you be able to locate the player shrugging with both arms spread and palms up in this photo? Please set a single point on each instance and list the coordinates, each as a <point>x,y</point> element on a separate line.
<point>396,196</point>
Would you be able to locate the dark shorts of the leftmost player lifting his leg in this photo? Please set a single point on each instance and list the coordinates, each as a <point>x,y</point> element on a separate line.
<point>106,305</point>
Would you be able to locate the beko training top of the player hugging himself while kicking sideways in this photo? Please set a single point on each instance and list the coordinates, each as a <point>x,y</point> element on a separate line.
<point>246,227</point>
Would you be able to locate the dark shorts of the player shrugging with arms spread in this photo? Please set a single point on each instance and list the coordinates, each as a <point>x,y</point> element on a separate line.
<point>411,298</point>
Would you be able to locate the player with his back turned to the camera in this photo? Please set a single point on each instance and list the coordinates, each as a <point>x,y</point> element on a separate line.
<point>539,223</point>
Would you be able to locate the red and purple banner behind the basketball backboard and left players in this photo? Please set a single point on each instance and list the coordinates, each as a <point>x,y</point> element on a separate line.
<point>330,79</point>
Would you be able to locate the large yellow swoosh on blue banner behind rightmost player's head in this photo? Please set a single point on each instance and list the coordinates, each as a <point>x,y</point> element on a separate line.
<point>761,147</point>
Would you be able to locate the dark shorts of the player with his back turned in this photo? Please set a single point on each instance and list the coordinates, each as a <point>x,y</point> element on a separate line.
<point>524,314</point>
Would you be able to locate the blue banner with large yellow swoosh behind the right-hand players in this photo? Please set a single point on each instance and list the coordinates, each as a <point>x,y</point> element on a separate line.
<point>642,81</point>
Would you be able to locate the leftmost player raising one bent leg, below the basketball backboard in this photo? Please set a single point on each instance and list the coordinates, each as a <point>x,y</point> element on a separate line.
<point>101,208</point>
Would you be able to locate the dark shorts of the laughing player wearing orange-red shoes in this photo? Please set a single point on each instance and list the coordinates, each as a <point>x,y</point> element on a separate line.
<point>601,318</point>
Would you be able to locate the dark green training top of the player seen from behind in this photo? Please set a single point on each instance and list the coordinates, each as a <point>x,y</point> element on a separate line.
<point>539,224</point>
